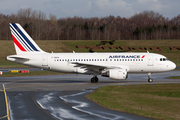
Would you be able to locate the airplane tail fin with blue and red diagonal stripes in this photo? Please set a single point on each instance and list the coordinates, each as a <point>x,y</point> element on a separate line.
<point>22,41</point>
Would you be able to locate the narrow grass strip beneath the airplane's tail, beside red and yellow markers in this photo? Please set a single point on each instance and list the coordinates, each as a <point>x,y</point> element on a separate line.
<point>31,73</point>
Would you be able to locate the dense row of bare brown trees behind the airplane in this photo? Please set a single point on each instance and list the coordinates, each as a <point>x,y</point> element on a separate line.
<point>143,25</point>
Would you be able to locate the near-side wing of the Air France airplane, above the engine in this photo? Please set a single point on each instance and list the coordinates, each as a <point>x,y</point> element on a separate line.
<point>97,68</point>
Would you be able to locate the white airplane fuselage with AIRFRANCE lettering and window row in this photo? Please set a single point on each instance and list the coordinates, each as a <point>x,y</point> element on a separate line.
<point>64,62</point>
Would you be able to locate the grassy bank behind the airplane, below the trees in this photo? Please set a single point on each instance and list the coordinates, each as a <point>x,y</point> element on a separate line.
<point>7,48</point>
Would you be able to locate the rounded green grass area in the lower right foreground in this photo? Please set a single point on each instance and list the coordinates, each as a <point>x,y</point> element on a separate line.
<point>157,101</point>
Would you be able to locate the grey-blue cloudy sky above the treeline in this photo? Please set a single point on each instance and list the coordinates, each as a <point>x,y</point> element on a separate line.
<point>93,8</point>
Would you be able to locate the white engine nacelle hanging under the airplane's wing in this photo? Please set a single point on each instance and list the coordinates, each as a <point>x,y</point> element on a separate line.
<point>118,74</point>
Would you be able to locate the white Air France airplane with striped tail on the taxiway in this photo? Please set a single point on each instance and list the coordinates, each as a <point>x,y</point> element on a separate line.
<point>116,66</point>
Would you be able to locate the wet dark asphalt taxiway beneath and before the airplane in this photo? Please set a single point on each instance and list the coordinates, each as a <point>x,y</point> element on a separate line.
<point>63,96</point>
